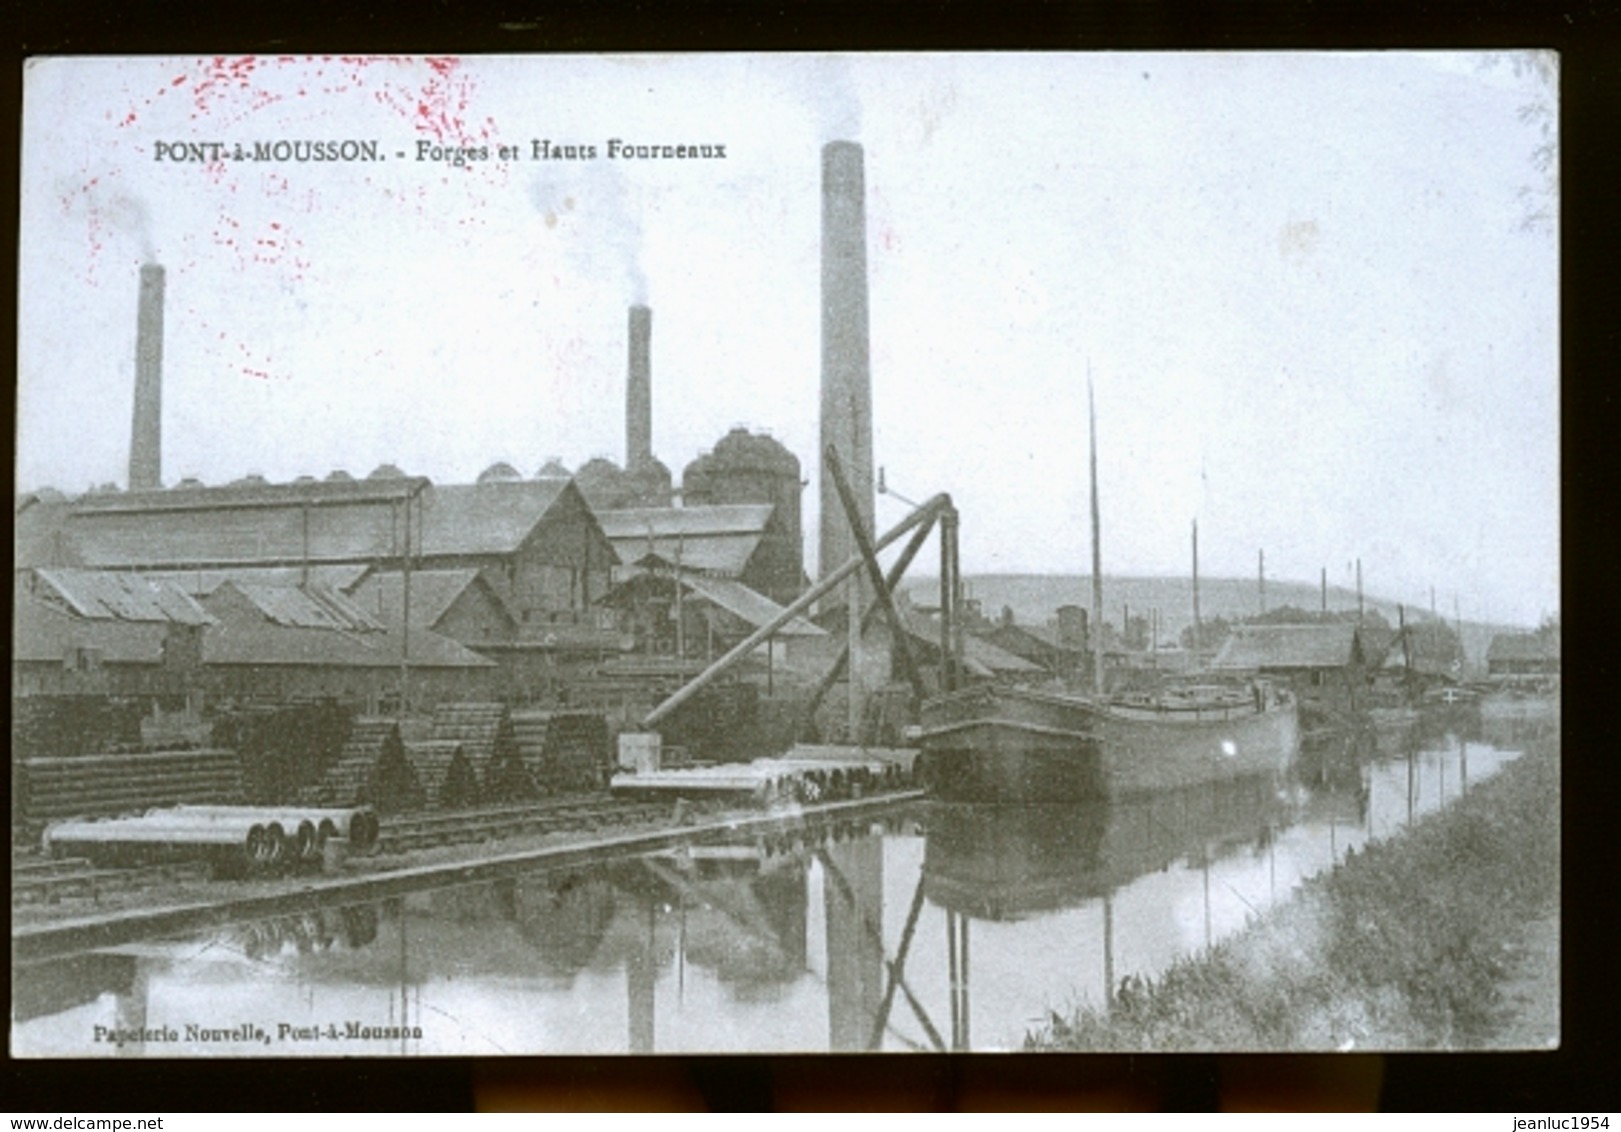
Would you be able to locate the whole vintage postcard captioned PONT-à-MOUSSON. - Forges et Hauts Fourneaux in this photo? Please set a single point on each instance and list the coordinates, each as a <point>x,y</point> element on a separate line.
<point>787,554</point>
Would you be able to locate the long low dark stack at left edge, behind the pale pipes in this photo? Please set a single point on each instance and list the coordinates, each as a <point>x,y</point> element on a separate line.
<point>119,784</point>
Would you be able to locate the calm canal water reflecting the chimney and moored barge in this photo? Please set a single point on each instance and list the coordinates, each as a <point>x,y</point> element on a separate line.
<point>925,927</point>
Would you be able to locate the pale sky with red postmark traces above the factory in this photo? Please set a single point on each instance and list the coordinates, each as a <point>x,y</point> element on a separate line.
<point>1315,294</point>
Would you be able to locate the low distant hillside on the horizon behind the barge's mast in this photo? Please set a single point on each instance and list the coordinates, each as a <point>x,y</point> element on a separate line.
<point>1035,598</point>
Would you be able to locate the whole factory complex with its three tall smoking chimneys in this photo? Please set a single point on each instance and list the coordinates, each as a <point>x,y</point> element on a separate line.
<point>521,572</point>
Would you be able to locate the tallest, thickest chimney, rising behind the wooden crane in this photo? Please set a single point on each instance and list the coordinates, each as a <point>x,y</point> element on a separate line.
<point>847,380</point>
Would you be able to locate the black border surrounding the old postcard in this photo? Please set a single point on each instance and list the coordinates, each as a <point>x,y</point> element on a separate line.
<point>1576,1079</point>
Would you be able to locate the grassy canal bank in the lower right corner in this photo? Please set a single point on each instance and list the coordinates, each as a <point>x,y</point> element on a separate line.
<point>1408,946</point>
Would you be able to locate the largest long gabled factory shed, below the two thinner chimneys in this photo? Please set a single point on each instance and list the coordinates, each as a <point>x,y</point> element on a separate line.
<point>536,544</point>
